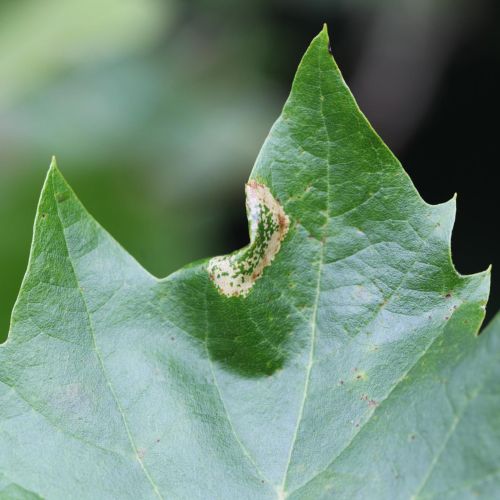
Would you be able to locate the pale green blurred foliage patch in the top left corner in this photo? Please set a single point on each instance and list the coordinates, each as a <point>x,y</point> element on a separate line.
<point>40,39</point>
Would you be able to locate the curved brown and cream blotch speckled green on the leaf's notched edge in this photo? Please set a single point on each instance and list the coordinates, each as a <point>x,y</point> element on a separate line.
<point>235,274</point>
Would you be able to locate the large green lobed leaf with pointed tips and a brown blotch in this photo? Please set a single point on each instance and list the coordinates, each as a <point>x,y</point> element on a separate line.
<point>335,356</point>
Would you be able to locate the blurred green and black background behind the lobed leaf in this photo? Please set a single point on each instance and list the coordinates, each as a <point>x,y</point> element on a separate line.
<point>156,111</point>
